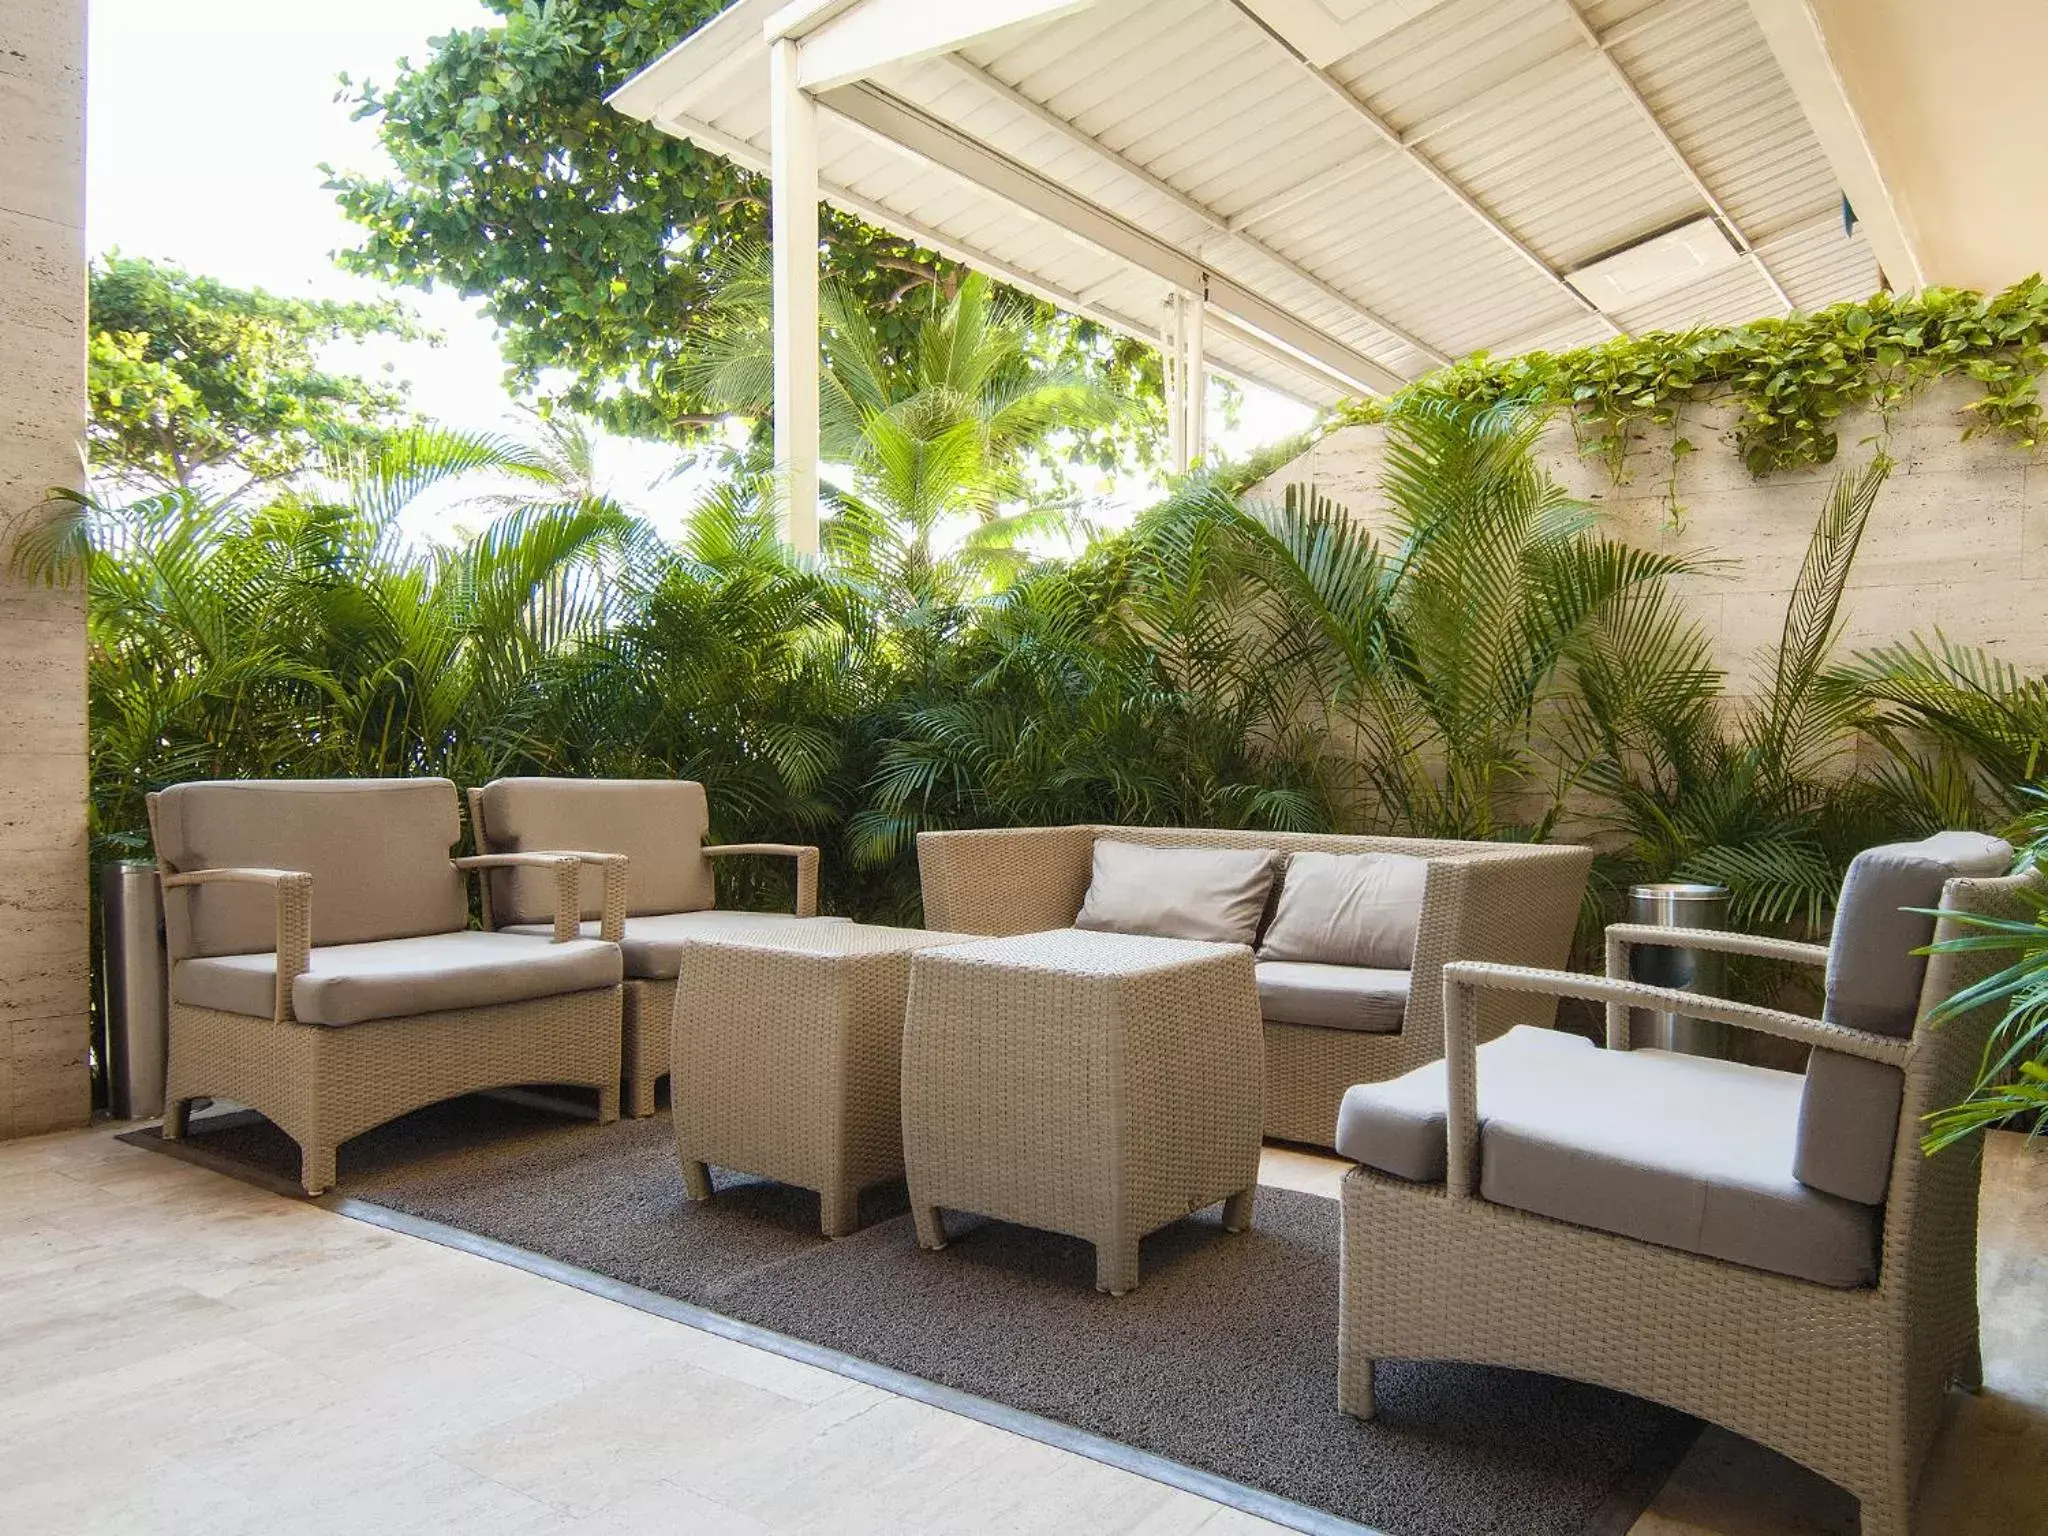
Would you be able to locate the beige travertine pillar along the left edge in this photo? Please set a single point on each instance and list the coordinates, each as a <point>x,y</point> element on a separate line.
<point>44,966</point>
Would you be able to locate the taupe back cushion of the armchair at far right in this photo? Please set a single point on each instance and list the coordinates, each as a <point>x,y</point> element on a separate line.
<point>1875,982</point>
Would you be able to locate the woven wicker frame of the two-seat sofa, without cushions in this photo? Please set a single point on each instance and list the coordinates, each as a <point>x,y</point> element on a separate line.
<point>1512,904</point>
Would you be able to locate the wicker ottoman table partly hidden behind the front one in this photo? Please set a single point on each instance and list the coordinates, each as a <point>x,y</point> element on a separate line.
<point>785,1052</point>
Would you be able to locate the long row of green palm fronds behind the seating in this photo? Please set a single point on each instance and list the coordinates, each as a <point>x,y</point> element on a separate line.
<point>1494,667</point>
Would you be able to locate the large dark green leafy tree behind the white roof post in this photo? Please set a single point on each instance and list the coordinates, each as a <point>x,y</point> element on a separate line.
<point>599,245</point>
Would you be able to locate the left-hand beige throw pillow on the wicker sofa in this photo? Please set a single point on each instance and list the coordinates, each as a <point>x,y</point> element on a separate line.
<point>1201,894</point>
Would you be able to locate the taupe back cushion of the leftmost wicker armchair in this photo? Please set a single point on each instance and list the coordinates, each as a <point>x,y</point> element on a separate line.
<point>378,851</point>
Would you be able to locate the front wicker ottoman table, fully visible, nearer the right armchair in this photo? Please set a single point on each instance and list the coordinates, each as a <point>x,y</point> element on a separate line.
<point>1089,1084</point>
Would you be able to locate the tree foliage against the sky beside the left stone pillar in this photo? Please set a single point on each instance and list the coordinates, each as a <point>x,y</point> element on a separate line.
<point>200,386</point>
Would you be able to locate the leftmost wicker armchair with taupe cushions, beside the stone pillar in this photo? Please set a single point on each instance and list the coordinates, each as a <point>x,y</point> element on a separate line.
<point>323,970</point>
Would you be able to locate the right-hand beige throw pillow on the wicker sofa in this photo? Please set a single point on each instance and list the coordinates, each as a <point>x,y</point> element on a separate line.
<point>1349,910</point>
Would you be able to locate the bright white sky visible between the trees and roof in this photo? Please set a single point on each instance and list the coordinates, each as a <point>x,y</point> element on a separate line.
<point>208,128</point>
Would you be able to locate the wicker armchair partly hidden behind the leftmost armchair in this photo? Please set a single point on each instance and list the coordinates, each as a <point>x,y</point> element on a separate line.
<point>671,898</point>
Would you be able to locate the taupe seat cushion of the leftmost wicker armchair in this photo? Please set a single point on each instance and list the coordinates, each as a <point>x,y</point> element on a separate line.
<point>396,978</point>
